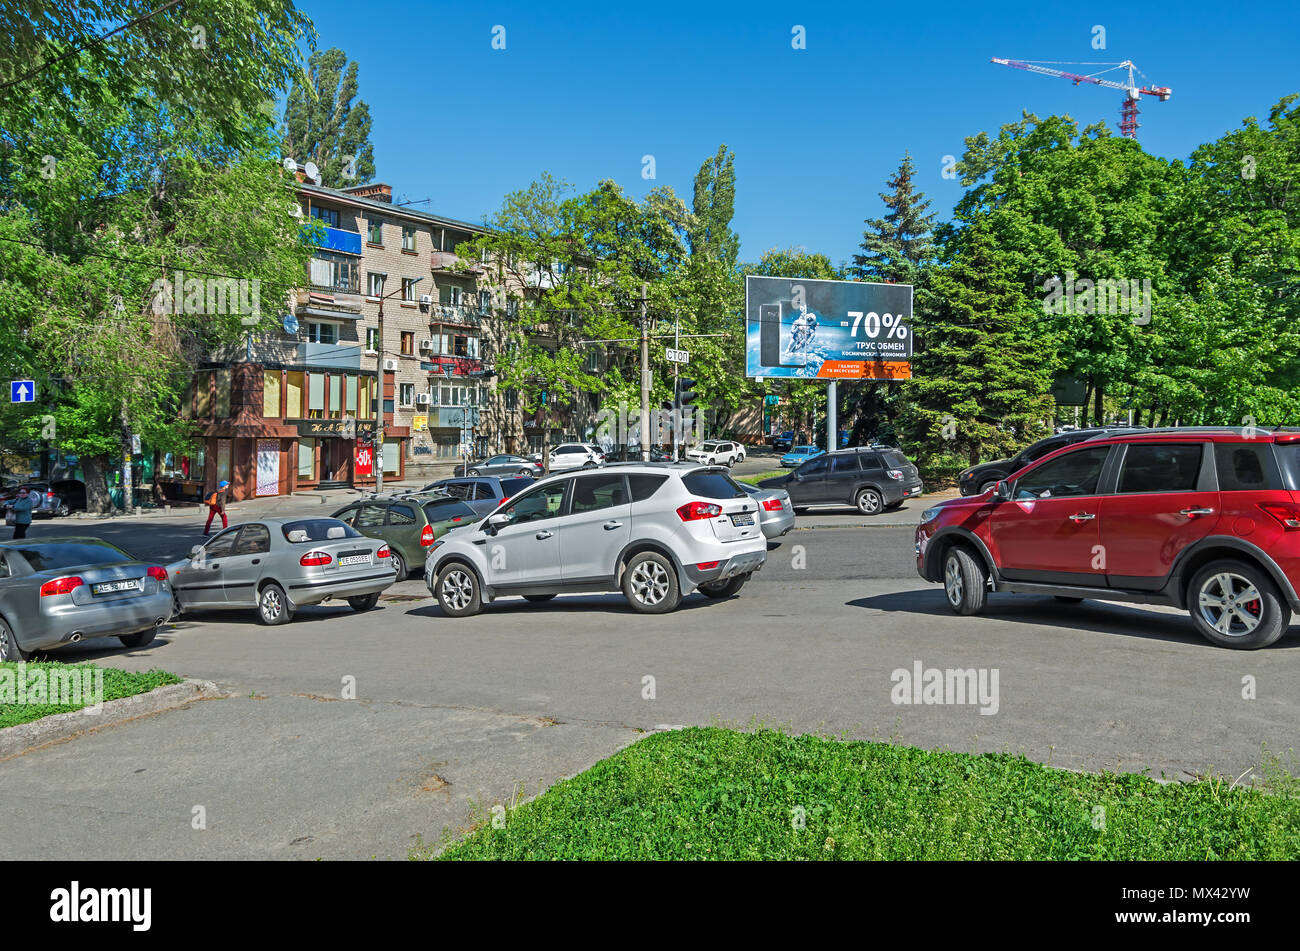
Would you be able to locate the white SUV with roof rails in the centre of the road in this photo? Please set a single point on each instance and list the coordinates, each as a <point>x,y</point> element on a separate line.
<point>656,532</point>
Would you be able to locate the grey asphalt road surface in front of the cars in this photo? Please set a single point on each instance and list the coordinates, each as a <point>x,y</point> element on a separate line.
<point>454,718</point>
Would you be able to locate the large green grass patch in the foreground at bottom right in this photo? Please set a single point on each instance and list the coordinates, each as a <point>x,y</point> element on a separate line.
<point>721,794</point>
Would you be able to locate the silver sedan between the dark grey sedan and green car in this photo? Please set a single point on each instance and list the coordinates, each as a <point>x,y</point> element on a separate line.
<point>278,566</point>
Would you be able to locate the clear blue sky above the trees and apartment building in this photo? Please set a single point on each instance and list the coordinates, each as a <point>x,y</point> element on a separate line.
<point>586,90</point>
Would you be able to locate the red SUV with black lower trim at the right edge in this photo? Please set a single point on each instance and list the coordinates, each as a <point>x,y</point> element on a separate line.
<point>1199,518</point>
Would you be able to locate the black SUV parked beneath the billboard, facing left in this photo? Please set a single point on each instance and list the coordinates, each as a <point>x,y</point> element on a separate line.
<point>873,480</point>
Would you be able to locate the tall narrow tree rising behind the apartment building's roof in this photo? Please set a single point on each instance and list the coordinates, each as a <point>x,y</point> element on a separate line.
<point>323,125</point>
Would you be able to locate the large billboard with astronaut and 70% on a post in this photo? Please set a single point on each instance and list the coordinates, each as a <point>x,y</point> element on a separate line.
<point>829,329</point>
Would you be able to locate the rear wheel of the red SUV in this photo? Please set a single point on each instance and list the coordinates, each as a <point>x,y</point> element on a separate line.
<point>1216,597</point>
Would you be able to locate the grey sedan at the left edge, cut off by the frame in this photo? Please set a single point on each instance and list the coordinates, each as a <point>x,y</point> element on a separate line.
<point>60,590</point>
